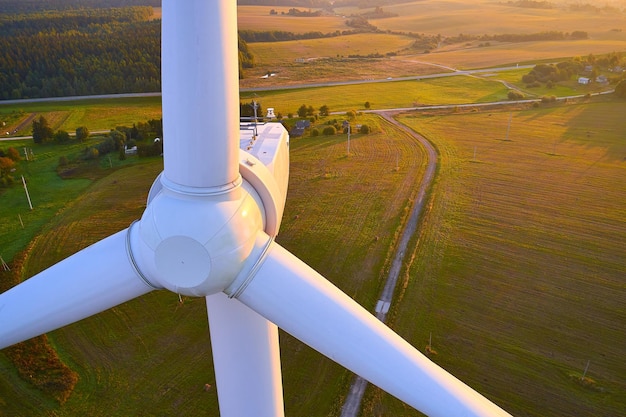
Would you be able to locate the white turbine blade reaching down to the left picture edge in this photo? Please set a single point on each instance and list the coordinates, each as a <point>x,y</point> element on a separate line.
<point>90,281</point>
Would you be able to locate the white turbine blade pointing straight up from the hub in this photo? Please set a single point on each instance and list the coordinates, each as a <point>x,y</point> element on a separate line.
<point>200,87</point>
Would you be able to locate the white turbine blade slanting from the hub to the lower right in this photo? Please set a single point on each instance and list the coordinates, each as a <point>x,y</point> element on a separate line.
<point>301,302</point>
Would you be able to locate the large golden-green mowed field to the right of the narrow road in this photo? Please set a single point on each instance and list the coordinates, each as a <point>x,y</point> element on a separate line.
<point>519,270</point>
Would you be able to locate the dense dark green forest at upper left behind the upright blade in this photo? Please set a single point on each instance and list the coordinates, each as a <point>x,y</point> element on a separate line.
<point>66,49</point>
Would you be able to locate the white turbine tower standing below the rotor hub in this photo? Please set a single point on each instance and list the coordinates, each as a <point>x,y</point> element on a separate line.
<point>246,359</point>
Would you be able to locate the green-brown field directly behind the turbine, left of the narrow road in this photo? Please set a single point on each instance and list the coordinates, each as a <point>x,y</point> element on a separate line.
<point>152,356</point>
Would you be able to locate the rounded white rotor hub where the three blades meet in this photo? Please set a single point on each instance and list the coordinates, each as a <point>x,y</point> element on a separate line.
<point>194,243</point>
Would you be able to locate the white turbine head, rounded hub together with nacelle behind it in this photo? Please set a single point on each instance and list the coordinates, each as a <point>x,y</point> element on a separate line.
<point>196,241</point>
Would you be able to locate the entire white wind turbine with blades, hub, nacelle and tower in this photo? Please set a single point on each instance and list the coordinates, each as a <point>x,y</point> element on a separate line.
<point>208,231</point>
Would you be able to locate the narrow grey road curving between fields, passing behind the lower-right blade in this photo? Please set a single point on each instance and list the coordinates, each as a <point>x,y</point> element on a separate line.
<point>352,405</point>
